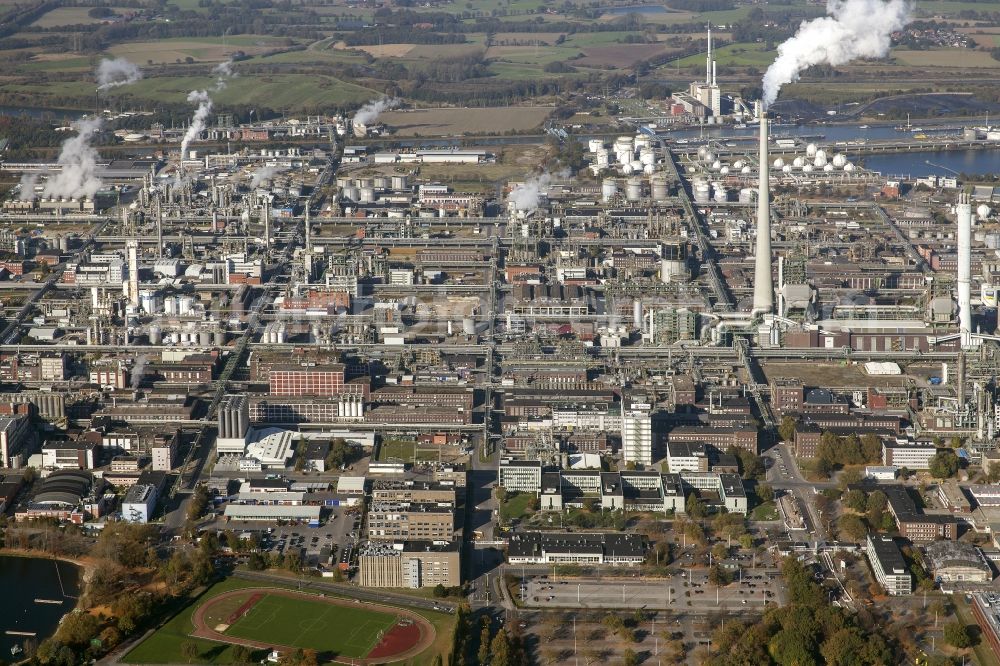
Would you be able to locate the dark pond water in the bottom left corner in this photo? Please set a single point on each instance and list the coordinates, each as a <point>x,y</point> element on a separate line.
<point>25,579</point>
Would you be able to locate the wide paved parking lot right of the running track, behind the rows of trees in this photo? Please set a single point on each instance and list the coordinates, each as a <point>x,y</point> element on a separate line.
<point>684,591</point>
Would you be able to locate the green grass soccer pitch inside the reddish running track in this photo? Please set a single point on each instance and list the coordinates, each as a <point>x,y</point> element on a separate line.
<point>324,627</point>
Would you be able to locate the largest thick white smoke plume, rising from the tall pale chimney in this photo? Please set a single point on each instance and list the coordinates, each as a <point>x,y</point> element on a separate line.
<point>853,29</point>
